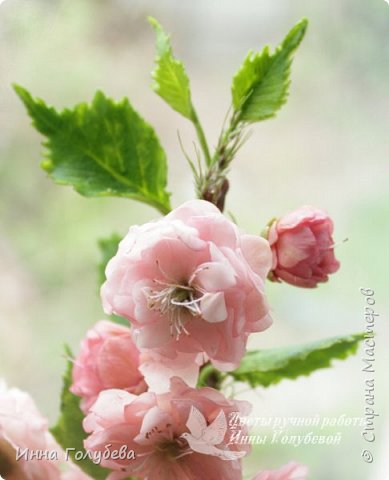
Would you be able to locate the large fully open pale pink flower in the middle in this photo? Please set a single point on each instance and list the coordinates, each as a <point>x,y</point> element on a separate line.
<point>191,283</point>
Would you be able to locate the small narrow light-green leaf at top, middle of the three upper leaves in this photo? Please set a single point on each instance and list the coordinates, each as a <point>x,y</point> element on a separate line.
<point>170,79</point>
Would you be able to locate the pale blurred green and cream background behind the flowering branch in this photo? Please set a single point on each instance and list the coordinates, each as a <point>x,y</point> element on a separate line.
<point>328,147</point>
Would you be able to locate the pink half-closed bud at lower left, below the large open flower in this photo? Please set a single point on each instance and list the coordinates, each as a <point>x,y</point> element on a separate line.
<point>108,359</point>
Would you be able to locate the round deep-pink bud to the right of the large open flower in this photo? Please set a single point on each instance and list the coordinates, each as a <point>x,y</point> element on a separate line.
<point>303,248</point>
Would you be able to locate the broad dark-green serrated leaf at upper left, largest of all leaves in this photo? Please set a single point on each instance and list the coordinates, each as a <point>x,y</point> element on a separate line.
<point>102,149</point>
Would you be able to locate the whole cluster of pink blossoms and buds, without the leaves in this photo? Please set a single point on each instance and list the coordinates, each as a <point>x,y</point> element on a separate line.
<point>192,287</point>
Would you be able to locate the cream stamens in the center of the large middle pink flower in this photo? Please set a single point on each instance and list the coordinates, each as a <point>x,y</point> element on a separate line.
<point>175,301</point>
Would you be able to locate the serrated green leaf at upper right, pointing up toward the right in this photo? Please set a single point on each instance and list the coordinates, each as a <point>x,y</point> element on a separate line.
<point>260,87</point>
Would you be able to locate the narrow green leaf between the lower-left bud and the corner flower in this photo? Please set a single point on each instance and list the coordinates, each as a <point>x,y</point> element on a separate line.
<point>68,431</point>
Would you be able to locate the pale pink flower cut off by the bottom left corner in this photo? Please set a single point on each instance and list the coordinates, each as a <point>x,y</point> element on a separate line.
<point>24,433</point>
